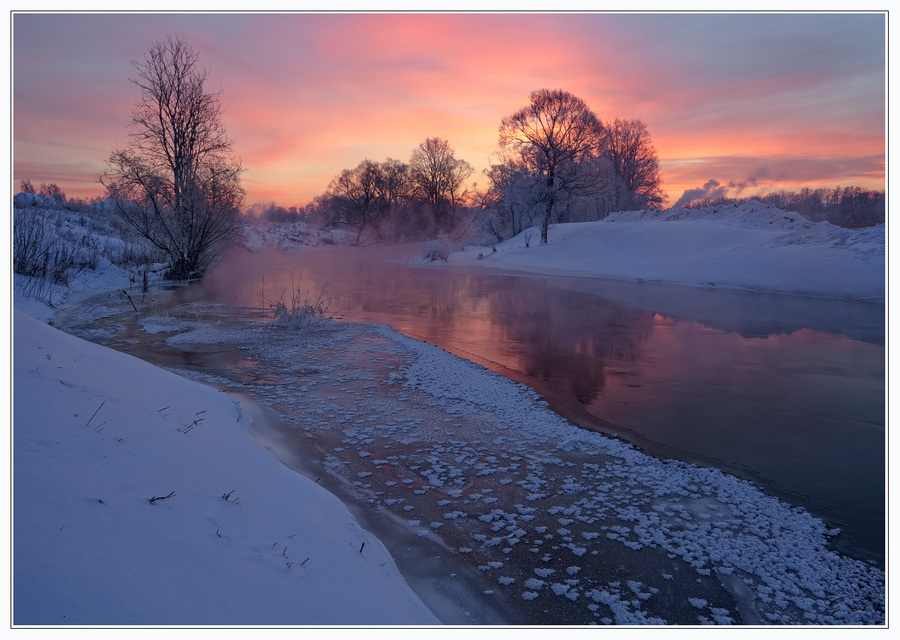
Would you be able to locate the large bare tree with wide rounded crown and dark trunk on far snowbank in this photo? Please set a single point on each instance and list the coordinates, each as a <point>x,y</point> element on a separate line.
<point>552,136</point>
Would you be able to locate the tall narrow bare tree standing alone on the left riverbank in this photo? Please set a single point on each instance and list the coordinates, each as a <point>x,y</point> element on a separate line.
<point>177,183</point>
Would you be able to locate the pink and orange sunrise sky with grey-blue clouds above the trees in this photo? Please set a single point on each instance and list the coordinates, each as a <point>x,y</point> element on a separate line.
<point>744,102</point>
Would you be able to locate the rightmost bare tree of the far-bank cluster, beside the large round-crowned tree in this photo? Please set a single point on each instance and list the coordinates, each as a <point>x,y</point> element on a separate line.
<point>629,147</point>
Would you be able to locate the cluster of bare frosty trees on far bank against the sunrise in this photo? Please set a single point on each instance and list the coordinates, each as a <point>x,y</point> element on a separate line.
<point>556,162</point>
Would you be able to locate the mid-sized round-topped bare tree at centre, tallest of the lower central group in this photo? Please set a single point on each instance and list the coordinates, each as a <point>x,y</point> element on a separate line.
<point>440,178</point>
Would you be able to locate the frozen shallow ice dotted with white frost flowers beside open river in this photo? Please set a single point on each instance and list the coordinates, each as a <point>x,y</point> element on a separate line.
<point>550,523</point>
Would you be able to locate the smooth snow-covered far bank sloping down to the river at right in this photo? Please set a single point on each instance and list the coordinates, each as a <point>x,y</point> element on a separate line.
<point>750,246</point>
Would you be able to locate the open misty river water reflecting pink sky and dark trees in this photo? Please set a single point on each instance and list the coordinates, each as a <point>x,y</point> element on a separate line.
<point>788,391</point>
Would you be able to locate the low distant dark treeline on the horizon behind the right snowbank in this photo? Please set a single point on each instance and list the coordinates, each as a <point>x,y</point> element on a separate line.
<point>845,206</point>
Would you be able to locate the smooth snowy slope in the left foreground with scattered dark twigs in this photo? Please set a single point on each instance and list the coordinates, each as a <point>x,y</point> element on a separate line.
<point>140,499</point>
